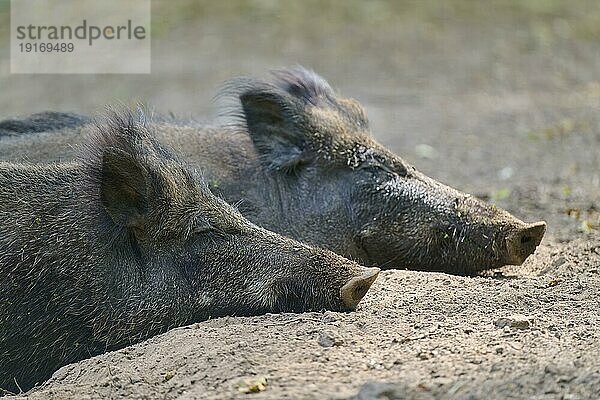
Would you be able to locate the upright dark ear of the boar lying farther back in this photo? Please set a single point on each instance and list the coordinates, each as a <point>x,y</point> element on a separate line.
<point>271,120</point>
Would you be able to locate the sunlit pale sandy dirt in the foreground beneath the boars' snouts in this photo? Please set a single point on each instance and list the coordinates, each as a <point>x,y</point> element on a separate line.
<point>431,335</point>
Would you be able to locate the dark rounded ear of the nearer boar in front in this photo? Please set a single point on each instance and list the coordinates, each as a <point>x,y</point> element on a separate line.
<point>123,187</point>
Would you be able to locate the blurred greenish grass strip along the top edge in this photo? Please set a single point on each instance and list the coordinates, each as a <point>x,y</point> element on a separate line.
<point>544,20</point>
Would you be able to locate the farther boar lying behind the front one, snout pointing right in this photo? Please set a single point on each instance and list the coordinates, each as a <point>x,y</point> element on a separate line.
<point>300,160</point>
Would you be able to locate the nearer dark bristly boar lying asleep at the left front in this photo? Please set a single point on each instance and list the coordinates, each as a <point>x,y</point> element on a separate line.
<point>127,242</point>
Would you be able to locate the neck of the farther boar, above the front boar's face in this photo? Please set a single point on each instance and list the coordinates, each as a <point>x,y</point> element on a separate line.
<point>231,166</point>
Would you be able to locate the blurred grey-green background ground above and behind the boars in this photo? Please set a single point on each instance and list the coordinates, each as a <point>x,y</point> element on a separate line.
<point>498,98</point>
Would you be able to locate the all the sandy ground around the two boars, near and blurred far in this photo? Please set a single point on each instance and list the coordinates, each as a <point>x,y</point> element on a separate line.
<point>500,99</point>
